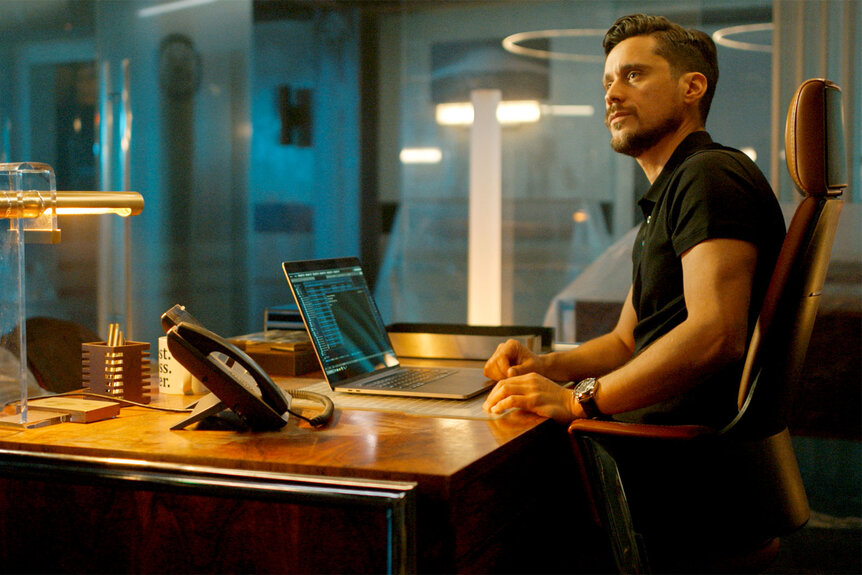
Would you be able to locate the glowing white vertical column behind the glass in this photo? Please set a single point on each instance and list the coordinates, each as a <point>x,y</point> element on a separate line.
<point>485,251</point>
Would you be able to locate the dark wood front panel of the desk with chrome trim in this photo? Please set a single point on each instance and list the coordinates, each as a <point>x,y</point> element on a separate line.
<point>131,516</point>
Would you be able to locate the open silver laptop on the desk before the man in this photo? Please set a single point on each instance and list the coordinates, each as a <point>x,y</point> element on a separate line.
<point>350,340</point>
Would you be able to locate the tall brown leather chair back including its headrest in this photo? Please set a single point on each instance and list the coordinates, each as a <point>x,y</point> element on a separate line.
<point>814,143</point>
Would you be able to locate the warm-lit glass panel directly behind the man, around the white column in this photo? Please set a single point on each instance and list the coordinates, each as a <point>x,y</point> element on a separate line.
<point>569,200</point>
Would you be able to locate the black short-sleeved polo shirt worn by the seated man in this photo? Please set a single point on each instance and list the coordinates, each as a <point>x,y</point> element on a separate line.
<point>705,191</point>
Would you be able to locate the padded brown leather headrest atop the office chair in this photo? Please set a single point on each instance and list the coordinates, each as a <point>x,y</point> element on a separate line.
<point>814,139</point>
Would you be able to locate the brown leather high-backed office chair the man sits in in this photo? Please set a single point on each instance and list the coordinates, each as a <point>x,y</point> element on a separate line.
<point>693,499</point>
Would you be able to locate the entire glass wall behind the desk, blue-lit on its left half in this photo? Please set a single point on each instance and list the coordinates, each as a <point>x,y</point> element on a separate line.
<point>261,131</point>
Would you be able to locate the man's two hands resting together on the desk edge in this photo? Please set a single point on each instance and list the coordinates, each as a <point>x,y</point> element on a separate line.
<point>521,384</point>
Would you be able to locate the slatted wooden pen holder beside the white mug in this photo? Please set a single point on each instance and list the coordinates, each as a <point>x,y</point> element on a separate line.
<point>121,371</point>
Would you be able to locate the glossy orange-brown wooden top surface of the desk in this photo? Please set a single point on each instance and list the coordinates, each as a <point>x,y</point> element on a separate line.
<point>369,444</point>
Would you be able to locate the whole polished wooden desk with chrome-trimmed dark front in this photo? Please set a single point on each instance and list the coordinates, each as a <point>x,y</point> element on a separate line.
<point>129,495</point>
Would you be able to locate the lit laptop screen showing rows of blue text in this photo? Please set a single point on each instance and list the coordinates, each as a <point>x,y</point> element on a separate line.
<point>343,321</point>
